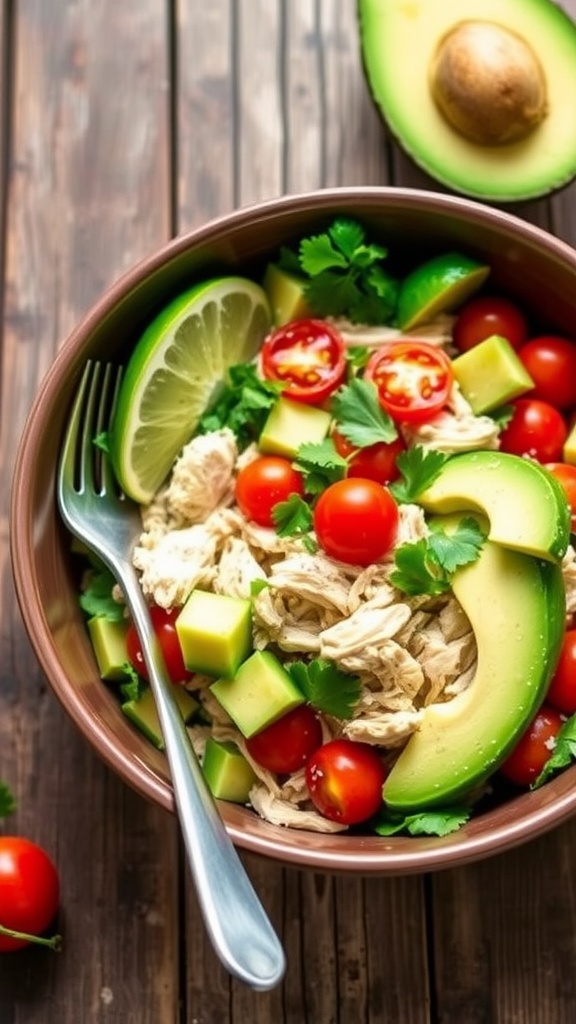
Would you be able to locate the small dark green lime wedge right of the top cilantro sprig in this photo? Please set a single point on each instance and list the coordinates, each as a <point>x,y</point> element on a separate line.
<point>438,287</point>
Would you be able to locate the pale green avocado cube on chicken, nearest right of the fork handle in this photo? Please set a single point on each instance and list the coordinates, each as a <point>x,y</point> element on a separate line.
<point>216,632</point>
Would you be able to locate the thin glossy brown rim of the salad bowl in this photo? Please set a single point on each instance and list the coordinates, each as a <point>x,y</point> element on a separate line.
<point>378,856</point>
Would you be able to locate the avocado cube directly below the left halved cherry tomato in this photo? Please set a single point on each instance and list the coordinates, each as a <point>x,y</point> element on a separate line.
<point>291,424</point>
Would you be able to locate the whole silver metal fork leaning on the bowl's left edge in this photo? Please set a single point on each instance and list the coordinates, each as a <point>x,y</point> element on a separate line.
<point>107,522</point>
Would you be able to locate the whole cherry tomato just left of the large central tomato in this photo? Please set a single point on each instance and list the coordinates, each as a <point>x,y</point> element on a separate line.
<point>265,483</point>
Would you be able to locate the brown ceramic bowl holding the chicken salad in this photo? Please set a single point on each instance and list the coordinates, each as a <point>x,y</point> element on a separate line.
<point>526,263</point>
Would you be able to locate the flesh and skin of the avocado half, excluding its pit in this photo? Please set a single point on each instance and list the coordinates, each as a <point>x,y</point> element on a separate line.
<point>399,41</point>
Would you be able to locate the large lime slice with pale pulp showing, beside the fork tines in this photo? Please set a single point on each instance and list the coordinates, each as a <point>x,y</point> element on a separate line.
<point>175,371</point>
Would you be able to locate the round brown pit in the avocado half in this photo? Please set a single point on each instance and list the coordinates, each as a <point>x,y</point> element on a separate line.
<point>488,83</point>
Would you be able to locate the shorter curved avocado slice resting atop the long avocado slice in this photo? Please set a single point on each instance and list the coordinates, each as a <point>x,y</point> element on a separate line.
<point>525,505</point>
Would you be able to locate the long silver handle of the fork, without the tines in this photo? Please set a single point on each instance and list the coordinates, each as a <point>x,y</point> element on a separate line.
<point>236,921</point>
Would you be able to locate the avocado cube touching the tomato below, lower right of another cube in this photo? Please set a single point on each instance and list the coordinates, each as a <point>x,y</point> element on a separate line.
<point>261,693</point>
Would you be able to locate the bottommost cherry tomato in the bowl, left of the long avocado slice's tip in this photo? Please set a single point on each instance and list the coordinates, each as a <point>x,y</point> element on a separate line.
<point>345,781</point>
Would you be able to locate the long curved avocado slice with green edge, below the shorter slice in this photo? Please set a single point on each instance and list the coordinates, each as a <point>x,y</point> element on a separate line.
<point>516,606</point>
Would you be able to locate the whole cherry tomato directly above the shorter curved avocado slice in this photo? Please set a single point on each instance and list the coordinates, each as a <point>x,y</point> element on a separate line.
<point>537,430</point>
